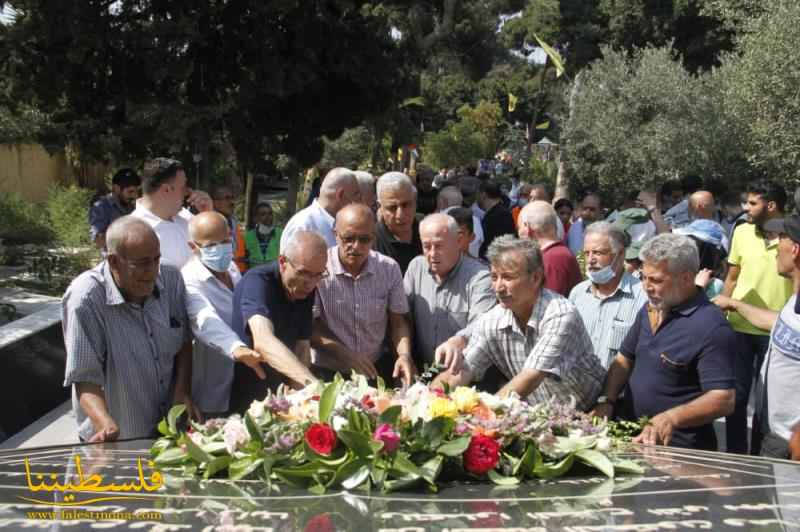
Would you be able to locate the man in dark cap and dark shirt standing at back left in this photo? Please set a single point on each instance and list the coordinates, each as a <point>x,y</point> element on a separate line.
<point>119,202</point>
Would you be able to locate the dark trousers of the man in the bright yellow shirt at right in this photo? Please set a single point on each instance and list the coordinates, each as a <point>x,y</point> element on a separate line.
<point>747,364</point>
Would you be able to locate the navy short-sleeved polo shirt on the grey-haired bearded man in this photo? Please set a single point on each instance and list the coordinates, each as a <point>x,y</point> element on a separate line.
<point>690,353</point>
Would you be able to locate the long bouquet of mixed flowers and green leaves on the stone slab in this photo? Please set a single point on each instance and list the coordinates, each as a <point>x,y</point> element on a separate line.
<point>347,434</point>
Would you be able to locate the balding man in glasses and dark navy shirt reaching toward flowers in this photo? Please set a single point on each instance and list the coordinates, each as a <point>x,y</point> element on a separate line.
<point>272,314</point>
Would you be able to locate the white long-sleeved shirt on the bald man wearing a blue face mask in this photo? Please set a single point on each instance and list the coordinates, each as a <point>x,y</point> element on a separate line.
<point>209,304</point>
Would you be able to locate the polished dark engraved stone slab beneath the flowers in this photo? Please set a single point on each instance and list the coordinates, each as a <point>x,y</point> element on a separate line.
<point>681,490</point>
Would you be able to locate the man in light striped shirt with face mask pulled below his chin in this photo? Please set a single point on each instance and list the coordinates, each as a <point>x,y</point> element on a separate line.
<point>609,300</point>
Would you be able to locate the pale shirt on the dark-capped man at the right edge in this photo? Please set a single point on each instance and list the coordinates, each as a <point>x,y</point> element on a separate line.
<point>780,375</point>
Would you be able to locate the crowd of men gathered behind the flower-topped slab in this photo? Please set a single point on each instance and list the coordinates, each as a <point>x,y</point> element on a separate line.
<point>672,315</point>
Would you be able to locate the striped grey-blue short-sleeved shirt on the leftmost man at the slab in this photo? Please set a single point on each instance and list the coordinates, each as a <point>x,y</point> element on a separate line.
<point>127,349</point>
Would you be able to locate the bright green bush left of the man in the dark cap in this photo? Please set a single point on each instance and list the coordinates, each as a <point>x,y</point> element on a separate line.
<point>68,211</point>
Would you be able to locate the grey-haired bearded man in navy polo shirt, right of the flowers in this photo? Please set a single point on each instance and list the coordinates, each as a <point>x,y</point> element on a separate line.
<point>678,358</point>
